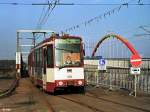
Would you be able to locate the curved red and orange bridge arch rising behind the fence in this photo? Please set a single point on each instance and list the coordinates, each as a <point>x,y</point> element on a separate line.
<point>120,38</point>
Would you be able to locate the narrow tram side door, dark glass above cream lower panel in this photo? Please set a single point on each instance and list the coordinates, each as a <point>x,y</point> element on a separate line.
<point>44,67</point>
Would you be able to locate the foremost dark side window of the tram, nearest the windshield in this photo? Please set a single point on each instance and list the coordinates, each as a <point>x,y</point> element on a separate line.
<point>50,61</point>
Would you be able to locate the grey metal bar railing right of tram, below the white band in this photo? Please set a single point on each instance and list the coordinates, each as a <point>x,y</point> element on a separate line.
<point>118,78</point>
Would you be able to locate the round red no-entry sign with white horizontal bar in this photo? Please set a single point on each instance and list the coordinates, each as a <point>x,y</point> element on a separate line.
<point>135,60</point>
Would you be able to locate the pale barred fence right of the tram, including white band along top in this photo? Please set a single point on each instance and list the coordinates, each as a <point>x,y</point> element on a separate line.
<point>118,75</point>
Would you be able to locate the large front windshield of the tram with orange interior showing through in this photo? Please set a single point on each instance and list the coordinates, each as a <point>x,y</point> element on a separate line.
<point>68,52</point>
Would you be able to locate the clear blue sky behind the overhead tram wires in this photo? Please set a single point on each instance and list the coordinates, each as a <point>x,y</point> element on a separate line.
<point>125,22</point>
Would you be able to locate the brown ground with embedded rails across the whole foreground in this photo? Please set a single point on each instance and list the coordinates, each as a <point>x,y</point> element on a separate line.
<point>29,98</point>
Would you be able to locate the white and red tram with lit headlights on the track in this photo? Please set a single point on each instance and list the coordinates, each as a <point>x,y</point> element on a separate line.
<point>57,62</point>
